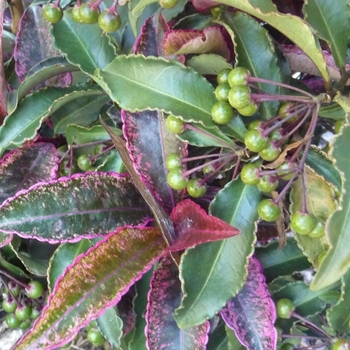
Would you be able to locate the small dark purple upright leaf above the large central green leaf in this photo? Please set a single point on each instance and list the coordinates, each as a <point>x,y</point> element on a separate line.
<point>149,42</point>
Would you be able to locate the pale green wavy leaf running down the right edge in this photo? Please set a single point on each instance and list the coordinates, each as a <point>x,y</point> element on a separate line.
<point>337,261</point>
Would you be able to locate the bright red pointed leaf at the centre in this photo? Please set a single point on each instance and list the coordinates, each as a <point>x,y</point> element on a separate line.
<point>194,226</point>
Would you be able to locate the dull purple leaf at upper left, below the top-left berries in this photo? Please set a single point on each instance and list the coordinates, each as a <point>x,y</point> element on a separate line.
<point>35,44</point>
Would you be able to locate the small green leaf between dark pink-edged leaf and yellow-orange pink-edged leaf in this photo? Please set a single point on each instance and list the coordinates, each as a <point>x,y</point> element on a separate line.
<point>63,257</point>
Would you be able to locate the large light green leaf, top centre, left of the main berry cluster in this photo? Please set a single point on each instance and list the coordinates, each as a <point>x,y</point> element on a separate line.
<point>173,88</point>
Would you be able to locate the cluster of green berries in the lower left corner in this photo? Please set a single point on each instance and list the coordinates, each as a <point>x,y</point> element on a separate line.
<point>20,302</point>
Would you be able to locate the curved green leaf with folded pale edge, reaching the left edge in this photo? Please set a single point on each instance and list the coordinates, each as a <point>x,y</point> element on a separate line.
<point>24,122</point>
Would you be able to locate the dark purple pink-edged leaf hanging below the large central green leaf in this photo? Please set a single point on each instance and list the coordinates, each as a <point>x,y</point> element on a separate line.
<point>149,143</point>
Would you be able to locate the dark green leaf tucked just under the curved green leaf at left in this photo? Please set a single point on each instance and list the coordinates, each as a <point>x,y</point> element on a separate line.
<point>81,111</point>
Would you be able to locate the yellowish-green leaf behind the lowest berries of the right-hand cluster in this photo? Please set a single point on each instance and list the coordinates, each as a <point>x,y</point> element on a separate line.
<point>320,202</point>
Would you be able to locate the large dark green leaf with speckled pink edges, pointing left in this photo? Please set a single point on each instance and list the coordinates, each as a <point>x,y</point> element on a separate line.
<point>69,209</point>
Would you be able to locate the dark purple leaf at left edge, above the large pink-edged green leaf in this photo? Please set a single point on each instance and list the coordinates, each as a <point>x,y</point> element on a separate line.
<point>24,167</point>
